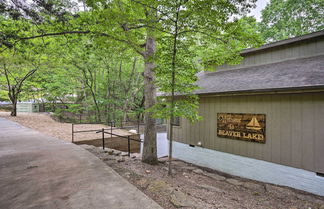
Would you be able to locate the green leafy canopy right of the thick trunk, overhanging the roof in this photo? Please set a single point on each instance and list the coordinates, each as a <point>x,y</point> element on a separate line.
<point>192,42</point>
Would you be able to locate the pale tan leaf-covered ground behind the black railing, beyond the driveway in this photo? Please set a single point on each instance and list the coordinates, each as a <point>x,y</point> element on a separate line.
<point>43,123</point>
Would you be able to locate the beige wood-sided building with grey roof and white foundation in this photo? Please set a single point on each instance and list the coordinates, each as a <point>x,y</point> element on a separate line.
<point>264,118</point>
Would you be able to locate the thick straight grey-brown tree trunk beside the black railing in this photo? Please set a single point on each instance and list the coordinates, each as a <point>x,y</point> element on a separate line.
<point>150,148</point>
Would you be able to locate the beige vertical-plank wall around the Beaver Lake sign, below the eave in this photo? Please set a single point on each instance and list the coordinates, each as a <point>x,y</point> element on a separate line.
<point>294,128</point>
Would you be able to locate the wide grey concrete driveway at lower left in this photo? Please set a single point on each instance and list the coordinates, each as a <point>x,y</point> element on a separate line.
<point>38,171</point>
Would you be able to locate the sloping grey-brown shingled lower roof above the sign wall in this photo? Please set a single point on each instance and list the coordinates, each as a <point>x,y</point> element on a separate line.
<point>300,73</point>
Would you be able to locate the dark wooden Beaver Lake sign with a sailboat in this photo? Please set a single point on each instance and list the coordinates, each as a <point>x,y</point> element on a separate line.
<point>247,127</point>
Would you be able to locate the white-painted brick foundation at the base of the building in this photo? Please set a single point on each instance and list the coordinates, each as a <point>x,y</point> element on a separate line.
<point>251,168</point>
